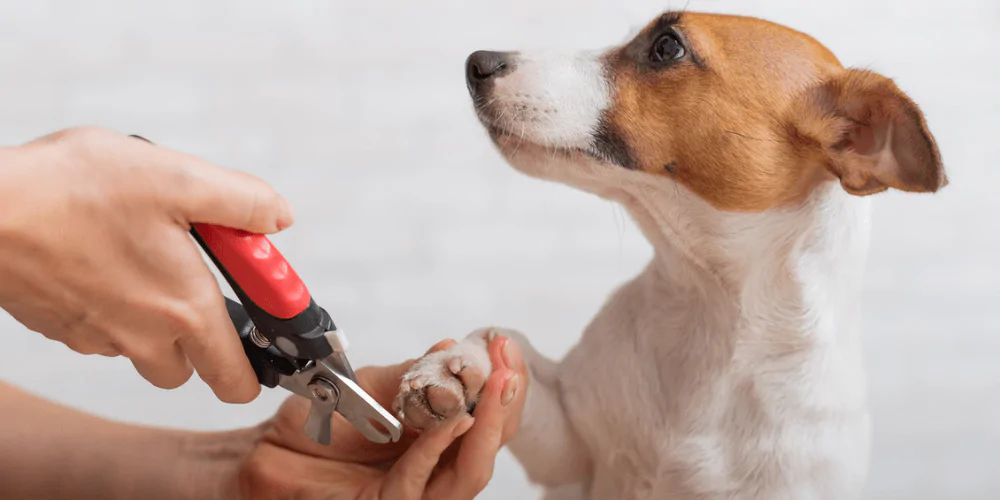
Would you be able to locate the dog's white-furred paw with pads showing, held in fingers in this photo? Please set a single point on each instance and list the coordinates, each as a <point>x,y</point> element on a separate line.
<point>444,384</point>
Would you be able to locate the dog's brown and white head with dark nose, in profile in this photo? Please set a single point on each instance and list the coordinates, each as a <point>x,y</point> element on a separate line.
<point>738,114</point>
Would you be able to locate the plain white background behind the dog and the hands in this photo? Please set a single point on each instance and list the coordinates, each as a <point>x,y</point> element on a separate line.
<point>411,228</point>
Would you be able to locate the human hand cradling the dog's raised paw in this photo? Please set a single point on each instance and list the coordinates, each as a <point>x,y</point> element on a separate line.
<point>454,462</point>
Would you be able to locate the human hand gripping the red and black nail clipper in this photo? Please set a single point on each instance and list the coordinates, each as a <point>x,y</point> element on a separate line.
<point>95,253</point>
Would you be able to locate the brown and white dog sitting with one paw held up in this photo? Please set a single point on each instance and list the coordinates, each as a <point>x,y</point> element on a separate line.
<point>730,367</point>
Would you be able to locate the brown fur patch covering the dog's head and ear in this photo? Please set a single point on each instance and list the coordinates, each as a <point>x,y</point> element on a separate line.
<point>736,119</point>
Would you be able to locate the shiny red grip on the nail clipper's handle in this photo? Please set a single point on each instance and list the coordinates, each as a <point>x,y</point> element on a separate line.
<point>258,268</point>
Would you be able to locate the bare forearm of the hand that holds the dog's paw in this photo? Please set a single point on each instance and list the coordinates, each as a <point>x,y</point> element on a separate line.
<point>51,451</point>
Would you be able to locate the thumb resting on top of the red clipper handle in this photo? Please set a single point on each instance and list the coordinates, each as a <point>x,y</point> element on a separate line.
<point>203,192</point>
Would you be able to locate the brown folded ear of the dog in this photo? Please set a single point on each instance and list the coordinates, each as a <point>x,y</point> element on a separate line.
<point>869,134</point>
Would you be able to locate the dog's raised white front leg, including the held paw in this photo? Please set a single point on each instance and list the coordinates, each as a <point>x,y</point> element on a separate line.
<point>444,384</point>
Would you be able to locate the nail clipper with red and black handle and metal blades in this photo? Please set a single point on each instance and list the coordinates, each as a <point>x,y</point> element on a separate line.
<point>290,340</point>
